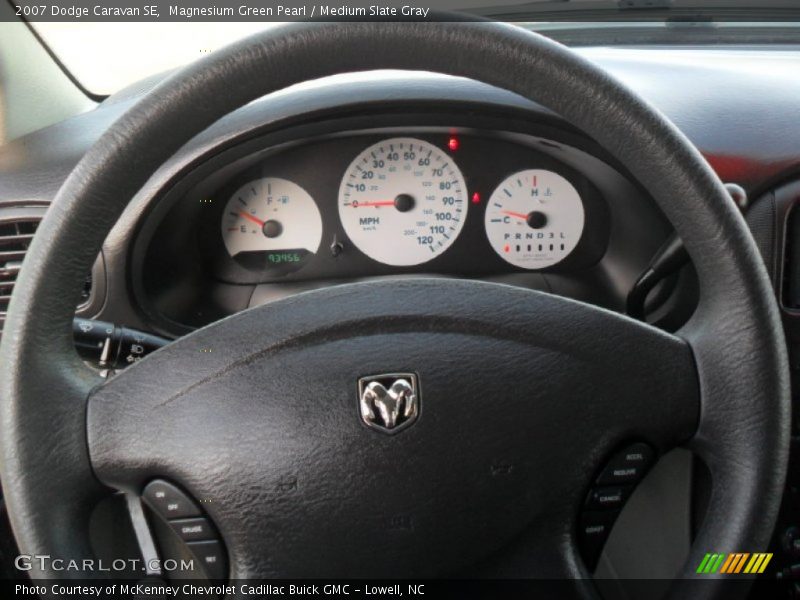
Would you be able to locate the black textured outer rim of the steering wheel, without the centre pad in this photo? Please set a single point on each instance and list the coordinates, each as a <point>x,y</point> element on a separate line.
<point>735,336</point>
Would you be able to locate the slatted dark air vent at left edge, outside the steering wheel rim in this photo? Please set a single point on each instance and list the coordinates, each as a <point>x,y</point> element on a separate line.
<point>17,227</point>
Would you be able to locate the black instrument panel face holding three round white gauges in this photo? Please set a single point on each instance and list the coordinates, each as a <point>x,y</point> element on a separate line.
<point>441,202</point>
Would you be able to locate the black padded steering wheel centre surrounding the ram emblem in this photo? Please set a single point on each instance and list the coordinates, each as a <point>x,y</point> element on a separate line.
<point>270,396</point>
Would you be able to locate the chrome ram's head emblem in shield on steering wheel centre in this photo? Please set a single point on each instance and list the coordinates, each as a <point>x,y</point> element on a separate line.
<point>389,403</point>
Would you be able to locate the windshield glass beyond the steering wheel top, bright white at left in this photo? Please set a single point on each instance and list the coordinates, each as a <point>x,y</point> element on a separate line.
<point>105,54</point>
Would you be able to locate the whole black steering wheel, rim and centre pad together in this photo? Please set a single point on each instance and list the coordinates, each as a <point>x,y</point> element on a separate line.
<point>542,384</point>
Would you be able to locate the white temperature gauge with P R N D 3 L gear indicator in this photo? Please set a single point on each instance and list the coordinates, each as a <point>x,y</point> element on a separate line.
<point>534,219</point>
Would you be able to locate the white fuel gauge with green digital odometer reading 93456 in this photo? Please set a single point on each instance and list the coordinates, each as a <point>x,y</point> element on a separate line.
<point>271,224</point>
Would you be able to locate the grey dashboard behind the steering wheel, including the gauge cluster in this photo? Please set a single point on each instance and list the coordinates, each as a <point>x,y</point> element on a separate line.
<point>179,259</point>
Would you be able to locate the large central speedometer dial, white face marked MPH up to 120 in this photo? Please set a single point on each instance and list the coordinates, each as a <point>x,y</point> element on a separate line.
<point>401,201</point>
